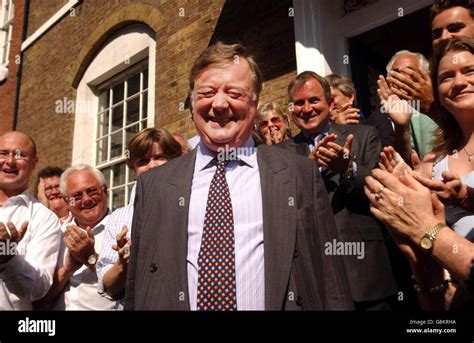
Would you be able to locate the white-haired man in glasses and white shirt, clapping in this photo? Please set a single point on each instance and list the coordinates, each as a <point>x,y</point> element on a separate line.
<point>75,283</point>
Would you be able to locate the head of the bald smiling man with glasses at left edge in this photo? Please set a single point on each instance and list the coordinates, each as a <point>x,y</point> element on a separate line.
<point>17,161</point>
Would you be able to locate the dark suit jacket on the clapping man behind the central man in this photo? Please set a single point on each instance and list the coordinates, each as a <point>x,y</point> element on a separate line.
<point>370,278</point>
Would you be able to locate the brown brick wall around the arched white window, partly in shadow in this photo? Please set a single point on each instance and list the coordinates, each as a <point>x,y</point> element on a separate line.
<point>53,63</point>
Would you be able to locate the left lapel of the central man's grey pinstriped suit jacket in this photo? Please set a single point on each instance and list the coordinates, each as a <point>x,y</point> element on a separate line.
<point>176,234</point>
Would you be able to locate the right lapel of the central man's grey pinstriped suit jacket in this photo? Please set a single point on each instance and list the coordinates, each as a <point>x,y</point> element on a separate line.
<point>279,224</point>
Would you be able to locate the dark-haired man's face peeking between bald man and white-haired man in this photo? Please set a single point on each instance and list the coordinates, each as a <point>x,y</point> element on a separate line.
<point>49,194</point>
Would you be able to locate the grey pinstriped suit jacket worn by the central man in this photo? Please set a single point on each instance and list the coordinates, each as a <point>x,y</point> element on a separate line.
<point>297,221</point>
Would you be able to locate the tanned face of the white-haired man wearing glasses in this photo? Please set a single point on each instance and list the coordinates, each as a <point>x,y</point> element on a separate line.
<point>86,198</point>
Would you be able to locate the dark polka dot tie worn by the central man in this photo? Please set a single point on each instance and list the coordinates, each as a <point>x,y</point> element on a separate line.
<point>216,261</point>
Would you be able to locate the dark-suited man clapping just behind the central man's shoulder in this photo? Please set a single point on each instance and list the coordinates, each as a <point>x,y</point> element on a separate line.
<point>346,154</point>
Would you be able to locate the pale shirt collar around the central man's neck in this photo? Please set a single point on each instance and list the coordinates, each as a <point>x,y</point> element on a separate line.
<point>247,153</point>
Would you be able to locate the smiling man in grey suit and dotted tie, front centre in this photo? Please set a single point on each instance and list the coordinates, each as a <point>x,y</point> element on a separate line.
<point>230,226</point>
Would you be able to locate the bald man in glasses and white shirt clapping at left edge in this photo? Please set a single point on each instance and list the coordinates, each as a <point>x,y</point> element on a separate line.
<point>29,232</point>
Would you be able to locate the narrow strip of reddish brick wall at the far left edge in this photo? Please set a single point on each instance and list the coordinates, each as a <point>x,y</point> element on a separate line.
<point>8,86</point>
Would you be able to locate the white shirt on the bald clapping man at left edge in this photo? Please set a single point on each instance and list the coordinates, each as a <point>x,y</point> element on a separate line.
<point>29,275</point>
